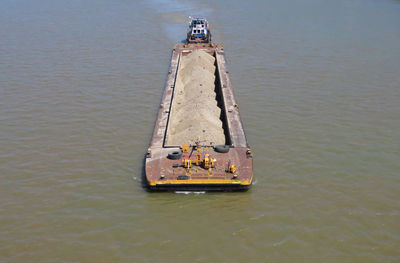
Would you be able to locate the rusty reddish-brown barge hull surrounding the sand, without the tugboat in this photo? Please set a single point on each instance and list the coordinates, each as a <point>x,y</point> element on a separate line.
<point>228,171</point>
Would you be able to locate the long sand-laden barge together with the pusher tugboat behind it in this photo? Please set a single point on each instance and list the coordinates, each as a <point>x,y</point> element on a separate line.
<point>198,142</point>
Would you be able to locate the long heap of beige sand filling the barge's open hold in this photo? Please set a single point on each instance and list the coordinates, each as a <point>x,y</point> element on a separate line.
<point>194,109</point>
